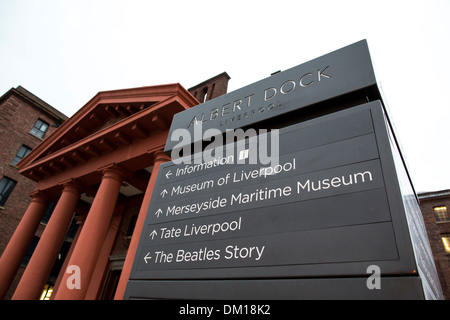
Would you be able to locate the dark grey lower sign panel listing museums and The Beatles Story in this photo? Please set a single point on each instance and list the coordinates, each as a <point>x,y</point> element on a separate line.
<point>329,210</point>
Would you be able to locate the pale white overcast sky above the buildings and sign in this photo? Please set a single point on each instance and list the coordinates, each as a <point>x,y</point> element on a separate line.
<point>65,52</point>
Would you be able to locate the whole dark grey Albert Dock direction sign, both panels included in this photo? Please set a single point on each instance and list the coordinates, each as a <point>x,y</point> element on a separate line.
<point>312,223</point>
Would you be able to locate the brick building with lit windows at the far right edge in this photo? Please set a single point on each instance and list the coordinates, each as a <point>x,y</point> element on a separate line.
<point>435,210</point>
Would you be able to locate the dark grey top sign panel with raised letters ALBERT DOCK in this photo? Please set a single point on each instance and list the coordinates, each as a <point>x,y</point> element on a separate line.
<point>333,75</point>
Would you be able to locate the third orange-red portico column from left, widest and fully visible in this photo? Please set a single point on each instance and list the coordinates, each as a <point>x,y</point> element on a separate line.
<point>89,244</point>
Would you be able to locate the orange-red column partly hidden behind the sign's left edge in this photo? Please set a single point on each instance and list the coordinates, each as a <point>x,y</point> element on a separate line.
<point>160,158</point>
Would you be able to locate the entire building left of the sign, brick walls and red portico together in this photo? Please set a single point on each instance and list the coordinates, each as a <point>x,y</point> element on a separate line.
<point>112,146</point>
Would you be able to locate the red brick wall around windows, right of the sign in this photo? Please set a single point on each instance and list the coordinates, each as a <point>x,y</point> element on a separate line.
<point>435,231</point>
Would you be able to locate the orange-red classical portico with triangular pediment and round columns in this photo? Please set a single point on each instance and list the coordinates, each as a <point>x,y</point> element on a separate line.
<point>98,165</point>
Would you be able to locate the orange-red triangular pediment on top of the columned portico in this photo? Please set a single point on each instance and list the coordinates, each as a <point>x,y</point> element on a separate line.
<point>108,120</point>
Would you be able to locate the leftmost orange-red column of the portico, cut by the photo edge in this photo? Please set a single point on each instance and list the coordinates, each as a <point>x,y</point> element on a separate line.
<point>20,241</point>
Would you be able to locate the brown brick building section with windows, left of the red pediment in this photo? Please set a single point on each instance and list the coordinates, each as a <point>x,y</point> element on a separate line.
<point>25,121</point>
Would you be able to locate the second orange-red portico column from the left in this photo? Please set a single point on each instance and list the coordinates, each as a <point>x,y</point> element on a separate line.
<point>44,256</point>
